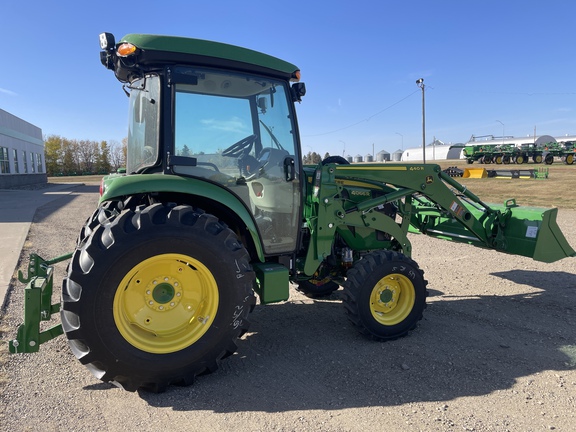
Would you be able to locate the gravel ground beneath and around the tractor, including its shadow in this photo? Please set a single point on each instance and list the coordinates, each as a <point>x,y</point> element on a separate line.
<point>496,351</point>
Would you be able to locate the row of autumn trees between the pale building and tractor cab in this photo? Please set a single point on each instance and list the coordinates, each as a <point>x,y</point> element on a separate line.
<point>82,157</point>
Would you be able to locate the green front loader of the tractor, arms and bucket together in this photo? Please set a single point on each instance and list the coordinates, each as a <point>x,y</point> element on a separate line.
<point>429,202</point>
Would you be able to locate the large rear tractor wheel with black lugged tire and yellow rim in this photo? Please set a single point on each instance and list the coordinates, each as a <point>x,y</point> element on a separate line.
<point>156,296</point>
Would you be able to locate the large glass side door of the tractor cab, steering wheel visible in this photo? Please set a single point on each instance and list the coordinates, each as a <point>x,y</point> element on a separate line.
<point>240,131</point>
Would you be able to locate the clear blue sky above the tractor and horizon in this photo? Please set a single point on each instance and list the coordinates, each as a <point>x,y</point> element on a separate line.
<point>490,67</point>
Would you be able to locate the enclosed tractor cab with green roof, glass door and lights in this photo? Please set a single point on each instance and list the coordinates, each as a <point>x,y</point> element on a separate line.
<point>226,118</point>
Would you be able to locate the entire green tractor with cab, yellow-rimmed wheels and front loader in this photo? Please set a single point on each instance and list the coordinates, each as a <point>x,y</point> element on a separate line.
<point>215,205</point>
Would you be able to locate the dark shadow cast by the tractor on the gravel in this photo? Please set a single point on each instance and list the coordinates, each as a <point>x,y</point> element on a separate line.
<point>307,356</point>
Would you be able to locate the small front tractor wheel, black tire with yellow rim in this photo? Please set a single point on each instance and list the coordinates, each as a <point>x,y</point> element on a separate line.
<point>385,295</point>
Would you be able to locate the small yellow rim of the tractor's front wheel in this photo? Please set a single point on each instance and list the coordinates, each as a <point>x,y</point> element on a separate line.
<point>392,299</point>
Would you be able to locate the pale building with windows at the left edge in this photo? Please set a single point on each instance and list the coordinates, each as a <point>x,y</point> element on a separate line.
<point>21,152</point>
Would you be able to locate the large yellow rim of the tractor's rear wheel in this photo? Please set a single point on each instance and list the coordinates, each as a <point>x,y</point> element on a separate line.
<point>166,303</point>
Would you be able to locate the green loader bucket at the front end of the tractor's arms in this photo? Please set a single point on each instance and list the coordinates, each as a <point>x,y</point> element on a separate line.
<point>533,232</point>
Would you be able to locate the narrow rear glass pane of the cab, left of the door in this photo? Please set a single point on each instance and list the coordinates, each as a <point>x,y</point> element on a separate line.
<point>143,124</point>
